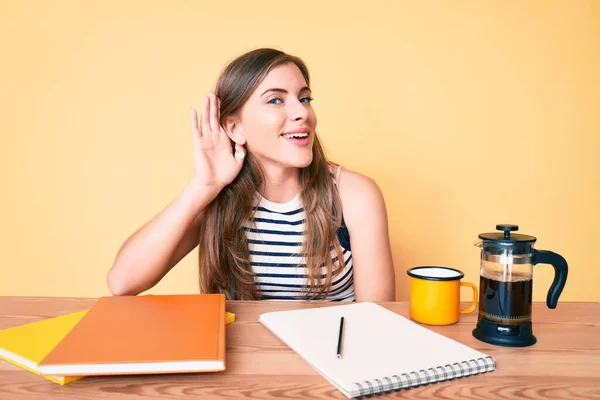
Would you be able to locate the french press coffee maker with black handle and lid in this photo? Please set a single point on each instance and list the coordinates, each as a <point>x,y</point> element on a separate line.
<point>505,289</point>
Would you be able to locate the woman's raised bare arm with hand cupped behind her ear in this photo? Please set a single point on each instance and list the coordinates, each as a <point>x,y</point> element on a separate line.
<point>150,252</point>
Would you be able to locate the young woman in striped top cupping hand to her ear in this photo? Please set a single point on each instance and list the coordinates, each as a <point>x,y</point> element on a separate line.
<point>273,219</point>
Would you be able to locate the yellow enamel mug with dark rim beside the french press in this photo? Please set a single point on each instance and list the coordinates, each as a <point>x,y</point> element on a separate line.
<point>435,295</point>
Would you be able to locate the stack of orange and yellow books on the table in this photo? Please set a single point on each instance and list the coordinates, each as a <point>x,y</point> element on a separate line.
<point>122,335</point>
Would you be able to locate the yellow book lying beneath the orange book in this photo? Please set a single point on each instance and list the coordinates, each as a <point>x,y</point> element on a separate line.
<point>26,345</point>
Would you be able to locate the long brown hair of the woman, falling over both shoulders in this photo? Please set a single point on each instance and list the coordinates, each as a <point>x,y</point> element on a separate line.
<point>224,259</point>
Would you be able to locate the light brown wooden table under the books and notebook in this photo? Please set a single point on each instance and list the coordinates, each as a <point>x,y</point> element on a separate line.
<point>564,364</point>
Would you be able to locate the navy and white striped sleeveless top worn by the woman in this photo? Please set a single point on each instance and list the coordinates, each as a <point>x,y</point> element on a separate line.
<point>275,237</point>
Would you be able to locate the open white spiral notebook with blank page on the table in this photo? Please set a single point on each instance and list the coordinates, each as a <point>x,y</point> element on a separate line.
<point>381,352</point>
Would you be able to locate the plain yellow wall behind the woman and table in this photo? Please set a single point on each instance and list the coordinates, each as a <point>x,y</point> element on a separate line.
<point>467,114</point>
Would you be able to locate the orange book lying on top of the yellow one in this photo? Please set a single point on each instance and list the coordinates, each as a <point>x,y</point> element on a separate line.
<point>144,335</point>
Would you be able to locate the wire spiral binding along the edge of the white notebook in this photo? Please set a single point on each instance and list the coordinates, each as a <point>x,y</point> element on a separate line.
<point>425,377</point>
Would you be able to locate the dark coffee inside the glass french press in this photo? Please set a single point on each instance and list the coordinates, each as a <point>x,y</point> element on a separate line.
<point>505,302</point>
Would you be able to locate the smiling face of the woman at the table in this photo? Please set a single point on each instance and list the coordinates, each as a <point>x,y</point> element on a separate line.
<point>278,121</point>
